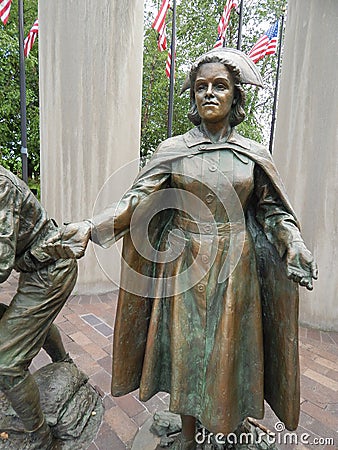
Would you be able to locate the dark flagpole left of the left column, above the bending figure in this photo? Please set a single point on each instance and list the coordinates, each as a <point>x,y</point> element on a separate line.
<point>24,153</point>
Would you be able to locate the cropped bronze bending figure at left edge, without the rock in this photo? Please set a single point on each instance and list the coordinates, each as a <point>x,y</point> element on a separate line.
<point>26,325</point>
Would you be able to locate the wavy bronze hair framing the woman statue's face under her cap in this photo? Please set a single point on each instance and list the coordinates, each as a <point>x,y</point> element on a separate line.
<point>237,113</point>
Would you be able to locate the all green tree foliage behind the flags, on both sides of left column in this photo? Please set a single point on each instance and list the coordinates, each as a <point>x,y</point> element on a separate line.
<point>196,33</point>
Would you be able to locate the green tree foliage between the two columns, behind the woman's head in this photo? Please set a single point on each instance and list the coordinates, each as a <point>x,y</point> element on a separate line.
<point>196,33</point>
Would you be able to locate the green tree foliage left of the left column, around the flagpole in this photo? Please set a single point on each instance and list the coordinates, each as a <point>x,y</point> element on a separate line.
<point>10,134</point>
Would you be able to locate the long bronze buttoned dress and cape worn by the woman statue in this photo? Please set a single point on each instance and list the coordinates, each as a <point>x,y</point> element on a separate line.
<point>218,344</point>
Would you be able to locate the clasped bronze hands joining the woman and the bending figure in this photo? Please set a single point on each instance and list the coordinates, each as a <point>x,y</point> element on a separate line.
<point>70,241</point>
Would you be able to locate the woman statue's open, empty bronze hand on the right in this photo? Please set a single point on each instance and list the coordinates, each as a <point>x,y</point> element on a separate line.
<point>300,265</point>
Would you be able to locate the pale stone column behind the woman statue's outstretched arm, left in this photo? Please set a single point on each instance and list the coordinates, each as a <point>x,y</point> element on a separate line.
<point>90,87</point>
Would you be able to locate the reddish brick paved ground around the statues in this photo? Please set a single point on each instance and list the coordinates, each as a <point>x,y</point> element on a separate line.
<point>87,323</point>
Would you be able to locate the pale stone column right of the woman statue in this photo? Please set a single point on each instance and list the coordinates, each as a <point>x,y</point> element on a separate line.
<point>306,144</point>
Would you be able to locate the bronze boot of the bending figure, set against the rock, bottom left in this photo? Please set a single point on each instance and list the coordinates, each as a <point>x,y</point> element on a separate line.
<point>25,400</point>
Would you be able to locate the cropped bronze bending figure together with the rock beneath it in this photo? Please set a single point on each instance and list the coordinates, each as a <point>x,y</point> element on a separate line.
<point>26,326</point>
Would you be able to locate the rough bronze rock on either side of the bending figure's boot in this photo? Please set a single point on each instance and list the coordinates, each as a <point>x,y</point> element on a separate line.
<point>73,410</point>
